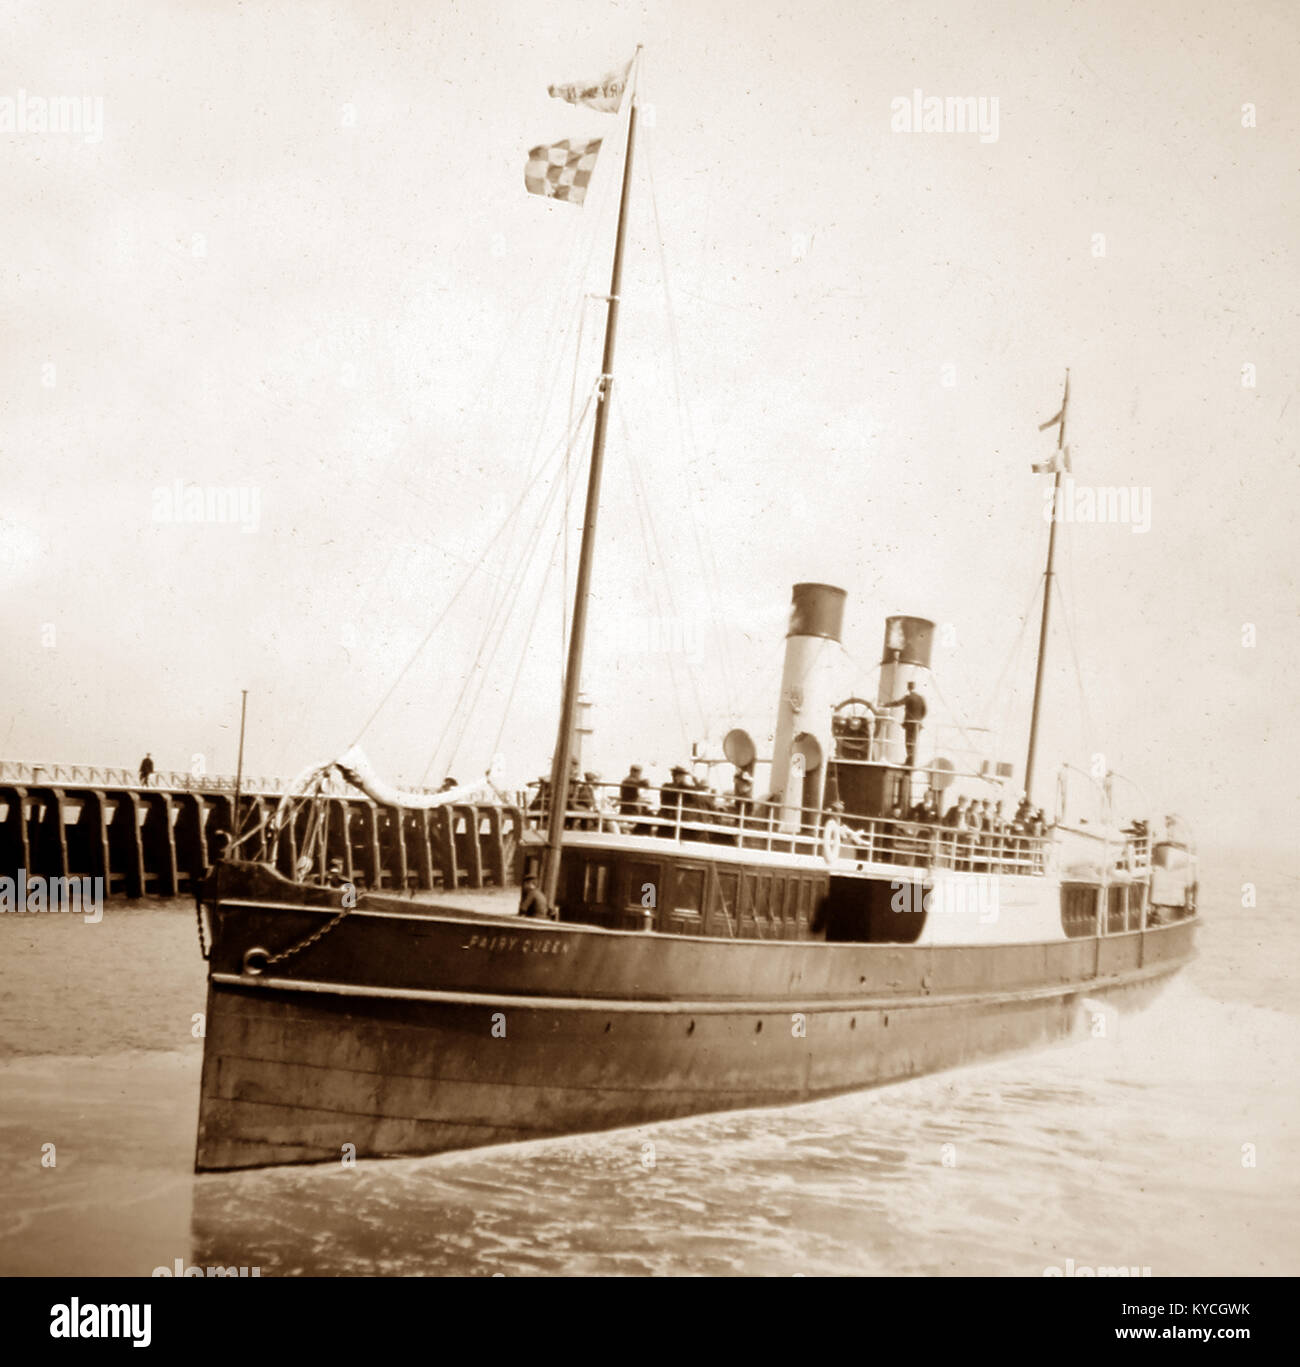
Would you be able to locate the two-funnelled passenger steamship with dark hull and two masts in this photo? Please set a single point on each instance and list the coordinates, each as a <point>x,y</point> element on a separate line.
<point>753,953</point>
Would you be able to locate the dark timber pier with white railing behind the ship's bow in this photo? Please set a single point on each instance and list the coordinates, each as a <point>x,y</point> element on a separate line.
<point>157,840</point>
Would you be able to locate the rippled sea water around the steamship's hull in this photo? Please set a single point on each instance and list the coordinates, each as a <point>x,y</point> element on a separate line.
<point>1159,1141</point>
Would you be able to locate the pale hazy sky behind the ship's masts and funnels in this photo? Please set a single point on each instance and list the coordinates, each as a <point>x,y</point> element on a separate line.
<point>299,262</point>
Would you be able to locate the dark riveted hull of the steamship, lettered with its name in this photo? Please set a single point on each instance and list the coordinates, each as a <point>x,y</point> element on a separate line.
<point>588,1030</point>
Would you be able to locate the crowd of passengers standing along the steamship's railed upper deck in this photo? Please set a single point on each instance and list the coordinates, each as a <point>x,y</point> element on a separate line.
<point>971,835</point>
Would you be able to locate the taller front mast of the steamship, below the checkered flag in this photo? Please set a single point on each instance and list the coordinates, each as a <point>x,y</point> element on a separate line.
<point>578,636</point>
